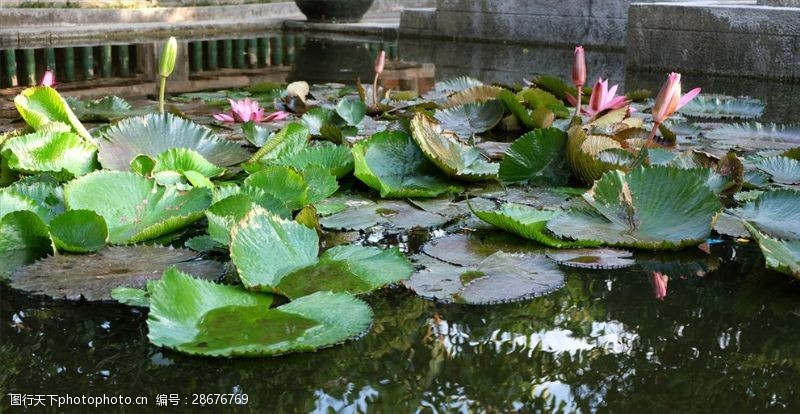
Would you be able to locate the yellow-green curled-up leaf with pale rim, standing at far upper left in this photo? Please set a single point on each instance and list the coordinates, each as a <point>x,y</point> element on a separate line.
<point>42,105</point>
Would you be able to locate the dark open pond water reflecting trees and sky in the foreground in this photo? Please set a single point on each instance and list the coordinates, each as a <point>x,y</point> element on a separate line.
<point>723,342</point>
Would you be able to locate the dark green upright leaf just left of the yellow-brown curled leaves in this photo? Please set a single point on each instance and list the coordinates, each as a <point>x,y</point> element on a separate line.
<point>538,157</point>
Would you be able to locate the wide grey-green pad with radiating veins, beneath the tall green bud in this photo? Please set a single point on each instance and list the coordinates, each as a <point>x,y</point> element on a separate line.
<point>154,134</point>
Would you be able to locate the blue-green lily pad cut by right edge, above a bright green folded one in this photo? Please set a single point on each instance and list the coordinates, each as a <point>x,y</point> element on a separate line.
<point>776,213</point>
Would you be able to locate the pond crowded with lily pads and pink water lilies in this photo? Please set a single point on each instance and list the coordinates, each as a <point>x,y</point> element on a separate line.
<point>458,244</point>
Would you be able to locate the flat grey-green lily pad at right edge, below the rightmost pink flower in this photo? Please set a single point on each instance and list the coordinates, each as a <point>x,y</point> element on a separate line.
<point>755,136</point>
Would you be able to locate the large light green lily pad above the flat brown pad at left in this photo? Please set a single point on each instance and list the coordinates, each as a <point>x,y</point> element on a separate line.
<point>135,208</point>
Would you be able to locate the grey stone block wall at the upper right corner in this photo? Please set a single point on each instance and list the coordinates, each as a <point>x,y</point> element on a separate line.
<point>770,38</point>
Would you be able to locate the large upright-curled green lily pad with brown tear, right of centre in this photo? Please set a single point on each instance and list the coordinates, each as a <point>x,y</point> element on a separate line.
<point>650,208</point>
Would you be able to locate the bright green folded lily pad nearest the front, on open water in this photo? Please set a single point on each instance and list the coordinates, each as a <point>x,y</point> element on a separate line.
<point>202,318</point>
